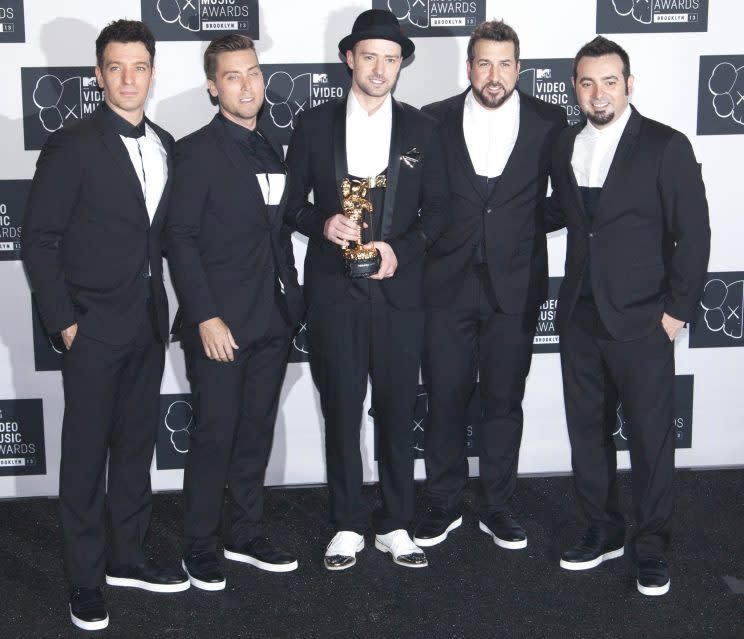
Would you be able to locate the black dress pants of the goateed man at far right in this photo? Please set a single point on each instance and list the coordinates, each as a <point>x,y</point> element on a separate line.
<point>596,369</point>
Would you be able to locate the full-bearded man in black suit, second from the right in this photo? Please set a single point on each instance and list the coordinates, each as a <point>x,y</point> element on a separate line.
<point>485,280</point>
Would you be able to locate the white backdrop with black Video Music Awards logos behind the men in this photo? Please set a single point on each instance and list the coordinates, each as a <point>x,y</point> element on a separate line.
<point>688,59</point>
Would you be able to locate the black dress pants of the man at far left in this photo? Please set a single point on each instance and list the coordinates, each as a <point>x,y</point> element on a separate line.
<point>112,403</point>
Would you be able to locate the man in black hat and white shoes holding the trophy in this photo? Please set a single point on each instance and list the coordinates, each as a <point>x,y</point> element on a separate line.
<point>360,328</point>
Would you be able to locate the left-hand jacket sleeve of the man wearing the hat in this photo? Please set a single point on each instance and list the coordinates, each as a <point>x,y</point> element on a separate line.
<point>299,213</point>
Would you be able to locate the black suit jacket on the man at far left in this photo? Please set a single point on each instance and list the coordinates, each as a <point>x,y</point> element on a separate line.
<point>87,236</point>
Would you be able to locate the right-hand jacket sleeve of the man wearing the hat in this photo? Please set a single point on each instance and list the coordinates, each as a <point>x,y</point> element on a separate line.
<point>434,214</point>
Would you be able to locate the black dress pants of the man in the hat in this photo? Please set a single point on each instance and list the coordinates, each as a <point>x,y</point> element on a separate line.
<point>349,343</point>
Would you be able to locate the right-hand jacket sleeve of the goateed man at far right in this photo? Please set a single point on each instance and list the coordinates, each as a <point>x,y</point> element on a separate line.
<point>685,210</point>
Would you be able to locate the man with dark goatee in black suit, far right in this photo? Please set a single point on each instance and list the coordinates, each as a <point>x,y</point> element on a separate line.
<point>631,195</point>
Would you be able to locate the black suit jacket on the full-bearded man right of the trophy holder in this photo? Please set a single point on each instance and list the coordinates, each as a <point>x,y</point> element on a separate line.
<point>511,216</point>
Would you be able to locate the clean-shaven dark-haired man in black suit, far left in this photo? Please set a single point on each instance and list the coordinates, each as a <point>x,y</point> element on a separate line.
<point>92,249</point>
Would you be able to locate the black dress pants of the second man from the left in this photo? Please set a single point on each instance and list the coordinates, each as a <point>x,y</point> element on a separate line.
<point>235,405</point>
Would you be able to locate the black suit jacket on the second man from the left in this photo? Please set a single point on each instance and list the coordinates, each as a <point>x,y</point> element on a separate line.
<point>224,250</point>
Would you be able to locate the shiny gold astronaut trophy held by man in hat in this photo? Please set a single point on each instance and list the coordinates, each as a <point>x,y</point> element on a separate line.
<point>359,261</point>
